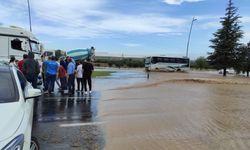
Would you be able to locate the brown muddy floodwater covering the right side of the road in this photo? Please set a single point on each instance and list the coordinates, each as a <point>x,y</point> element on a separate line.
<point>178,111</point>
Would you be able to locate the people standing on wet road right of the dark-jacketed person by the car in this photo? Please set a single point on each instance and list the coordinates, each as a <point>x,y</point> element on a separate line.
<point>67,71</point>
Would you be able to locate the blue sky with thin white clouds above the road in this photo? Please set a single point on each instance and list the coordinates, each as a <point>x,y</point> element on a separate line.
<point>129,27</point>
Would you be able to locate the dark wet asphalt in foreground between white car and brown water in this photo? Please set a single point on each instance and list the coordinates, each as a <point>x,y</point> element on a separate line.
<point>63,122</point>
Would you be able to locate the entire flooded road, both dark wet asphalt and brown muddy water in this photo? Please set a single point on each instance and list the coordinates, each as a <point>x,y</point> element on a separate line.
<point>168,111</point>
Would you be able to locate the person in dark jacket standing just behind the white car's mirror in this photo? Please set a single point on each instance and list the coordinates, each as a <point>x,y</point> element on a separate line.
<point>31,69</point>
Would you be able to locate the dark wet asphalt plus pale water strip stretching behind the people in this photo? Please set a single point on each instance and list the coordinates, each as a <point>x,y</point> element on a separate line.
<point>64,121</point>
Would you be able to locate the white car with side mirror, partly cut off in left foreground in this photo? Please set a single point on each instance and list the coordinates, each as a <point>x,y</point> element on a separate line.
<point>16,110</point>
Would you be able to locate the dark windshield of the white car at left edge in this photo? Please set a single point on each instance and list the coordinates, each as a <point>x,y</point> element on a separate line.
<point>8,92</point>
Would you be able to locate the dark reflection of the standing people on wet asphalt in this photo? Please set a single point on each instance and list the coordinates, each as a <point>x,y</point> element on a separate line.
<point>81,108</point>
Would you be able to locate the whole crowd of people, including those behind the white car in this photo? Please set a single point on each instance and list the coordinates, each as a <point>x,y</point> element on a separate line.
<point>67,70</point>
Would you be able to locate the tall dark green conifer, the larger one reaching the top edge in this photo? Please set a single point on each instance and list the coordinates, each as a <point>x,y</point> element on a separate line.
<point>226,40</point>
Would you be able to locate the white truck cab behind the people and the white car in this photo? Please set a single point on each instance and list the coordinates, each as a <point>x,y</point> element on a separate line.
<point>15,41</point>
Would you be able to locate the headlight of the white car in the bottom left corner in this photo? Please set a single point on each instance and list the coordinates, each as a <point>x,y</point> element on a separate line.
<point>15,144</point>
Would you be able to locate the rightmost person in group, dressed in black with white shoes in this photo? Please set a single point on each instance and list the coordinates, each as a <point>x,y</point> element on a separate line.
<point>87,72</point>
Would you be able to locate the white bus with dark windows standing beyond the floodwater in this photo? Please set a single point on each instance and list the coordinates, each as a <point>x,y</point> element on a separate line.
<point>161,63</point>
